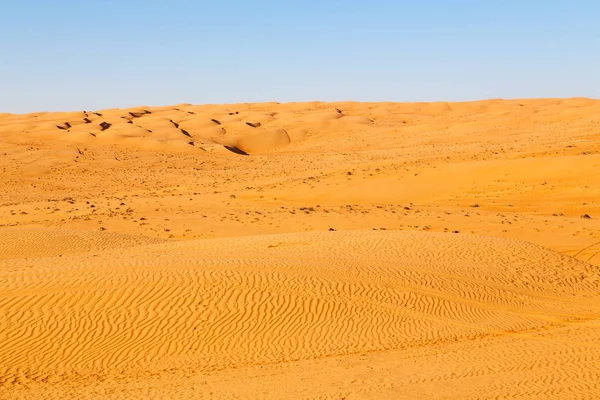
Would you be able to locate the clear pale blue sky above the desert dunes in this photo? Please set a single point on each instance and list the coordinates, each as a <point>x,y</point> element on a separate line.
<point>96,54</point>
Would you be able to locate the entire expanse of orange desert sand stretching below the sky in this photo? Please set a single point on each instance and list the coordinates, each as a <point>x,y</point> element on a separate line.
<point>302,250</point>
